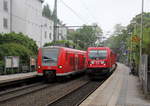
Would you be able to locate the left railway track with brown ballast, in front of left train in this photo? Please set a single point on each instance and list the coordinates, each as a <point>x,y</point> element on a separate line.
<point>39,95</point>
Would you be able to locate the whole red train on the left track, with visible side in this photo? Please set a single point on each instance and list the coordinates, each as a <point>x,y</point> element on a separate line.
<point>57,61</point>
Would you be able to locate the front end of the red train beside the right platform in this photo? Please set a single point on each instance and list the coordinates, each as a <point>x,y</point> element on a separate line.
<point>98,61</point>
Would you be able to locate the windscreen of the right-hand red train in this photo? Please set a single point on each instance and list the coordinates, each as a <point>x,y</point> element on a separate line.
<point>97,54</point>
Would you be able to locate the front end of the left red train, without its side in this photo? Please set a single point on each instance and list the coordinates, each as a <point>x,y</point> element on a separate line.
<point>48,62</point>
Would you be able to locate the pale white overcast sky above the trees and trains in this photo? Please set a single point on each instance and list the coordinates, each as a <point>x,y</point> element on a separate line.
<point>106,13</point>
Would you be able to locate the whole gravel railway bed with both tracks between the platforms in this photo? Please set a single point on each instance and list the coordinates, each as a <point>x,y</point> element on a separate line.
<point>69,93</point>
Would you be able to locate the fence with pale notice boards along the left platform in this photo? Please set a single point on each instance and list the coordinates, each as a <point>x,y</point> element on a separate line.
<point>13,65</point>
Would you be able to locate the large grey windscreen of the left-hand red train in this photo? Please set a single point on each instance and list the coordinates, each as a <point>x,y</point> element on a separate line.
<point>49,57</point>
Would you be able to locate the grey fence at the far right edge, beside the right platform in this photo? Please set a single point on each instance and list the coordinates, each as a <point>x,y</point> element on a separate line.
<point>144,73</point>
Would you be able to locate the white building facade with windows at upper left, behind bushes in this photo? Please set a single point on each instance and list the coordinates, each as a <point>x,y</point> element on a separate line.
<point>25,16</point>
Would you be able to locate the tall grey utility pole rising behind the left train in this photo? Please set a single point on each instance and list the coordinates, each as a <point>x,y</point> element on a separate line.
<point>55,21</point>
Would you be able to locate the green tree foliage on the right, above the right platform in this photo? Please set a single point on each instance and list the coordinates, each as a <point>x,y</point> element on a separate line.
<point>123,40</point>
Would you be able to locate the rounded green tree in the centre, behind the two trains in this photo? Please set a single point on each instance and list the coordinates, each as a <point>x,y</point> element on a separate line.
<point>85,36</point>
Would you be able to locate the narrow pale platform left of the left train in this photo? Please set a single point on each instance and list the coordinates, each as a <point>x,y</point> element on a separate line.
<point>15,77</point>
